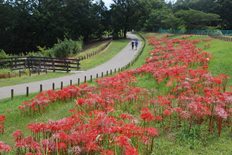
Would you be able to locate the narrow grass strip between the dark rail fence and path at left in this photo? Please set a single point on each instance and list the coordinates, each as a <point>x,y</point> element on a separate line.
<point>27,78</point>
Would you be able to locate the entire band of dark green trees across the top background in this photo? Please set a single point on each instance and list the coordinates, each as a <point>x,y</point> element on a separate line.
<point>27,24</point>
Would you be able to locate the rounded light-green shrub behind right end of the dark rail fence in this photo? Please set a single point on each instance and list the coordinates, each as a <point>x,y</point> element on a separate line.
<point>66,48</point>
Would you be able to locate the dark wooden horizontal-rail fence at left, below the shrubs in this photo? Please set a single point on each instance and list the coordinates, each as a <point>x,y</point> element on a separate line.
<point>38,64</point>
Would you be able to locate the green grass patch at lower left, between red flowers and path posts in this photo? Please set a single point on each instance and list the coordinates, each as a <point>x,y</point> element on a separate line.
<point>15,120</point>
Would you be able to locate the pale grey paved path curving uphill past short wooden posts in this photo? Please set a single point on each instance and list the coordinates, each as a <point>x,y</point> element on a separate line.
<point>124,57</point>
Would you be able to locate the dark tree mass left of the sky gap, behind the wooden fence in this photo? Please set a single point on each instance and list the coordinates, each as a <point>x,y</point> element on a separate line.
<point>28,24</point>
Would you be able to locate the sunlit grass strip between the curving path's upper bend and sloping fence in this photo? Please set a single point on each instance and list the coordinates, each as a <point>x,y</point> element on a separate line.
<point>114,48</point>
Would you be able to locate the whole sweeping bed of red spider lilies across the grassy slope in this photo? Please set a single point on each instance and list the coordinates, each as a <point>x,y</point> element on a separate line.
<point>116,117</point>
